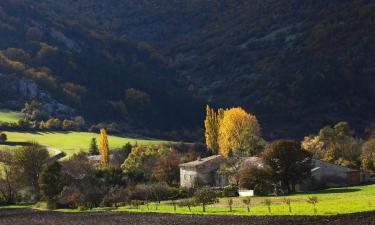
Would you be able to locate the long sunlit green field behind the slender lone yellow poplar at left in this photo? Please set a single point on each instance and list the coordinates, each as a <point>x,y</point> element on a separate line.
<point>70,142</point>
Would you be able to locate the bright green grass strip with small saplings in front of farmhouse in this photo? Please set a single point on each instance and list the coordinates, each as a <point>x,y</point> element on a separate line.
<point>331,202</point>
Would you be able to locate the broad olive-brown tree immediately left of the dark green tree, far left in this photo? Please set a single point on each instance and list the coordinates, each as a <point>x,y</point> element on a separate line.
<point>27,162</point>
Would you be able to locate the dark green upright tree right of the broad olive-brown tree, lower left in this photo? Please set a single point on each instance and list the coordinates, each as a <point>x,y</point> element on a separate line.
<point>50,182</point>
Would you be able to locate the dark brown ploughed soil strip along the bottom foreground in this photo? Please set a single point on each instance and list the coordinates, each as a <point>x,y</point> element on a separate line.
<point>31,217</point>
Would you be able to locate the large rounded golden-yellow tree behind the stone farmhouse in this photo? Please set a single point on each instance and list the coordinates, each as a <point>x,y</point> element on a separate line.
<point>234,123</point>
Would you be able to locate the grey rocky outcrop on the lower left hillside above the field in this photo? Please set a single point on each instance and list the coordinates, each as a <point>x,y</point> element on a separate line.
<point>15,91</point>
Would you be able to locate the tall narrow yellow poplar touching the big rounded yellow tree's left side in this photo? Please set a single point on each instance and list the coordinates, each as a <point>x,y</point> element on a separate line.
<point>211,124</point>
